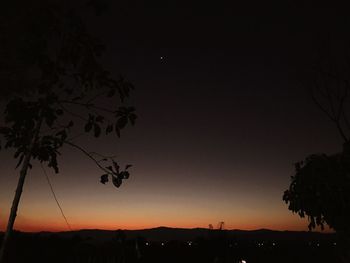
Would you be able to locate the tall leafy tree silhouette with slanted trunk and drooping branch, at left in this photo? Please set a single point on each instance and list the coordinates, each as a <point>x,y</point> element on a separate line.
<point>55,86</point>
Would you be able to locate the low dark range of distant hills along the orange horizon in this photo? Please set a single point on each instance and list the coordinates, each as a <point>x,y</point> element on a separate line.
<point>184,234</point>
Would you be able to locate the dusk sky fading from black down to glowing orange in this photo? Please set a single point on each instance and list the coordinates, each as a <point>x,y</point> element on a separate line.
<point>222,120</point>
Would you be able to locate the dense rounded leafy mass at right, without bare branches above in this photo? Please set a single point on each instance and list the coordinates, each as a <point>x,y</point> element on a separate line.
<point>320,190</point>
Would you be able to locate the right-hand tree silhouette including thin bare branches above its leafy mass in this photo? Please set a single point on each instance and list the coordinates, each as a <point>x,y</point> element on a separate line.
<point>320,188</point>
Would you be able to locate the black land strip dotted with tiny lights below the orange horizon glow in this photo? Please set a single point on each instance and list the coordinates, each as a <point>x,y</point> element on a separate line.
<point>212,246</point>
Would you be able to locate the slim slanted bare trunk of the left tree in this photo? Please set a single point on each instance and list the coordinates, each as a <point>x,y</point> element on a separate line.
<point>19,189</point>
